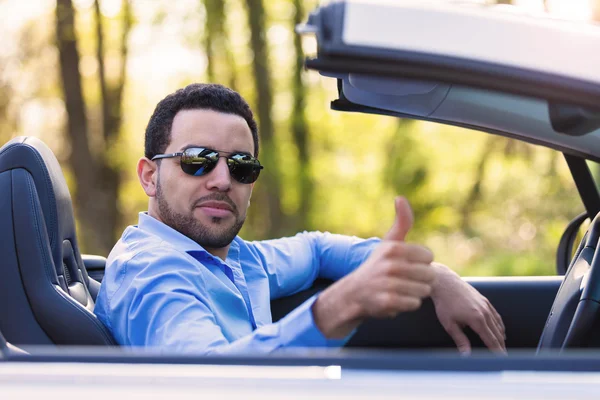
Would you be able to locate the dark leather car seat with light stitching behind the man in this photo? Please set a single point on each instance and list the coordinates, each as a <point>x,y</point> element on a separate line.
<point>46,295</point>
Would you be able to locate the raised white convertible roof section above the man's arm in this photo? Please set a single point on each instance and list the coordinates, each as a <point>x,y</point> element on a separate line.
<point>519,75</point>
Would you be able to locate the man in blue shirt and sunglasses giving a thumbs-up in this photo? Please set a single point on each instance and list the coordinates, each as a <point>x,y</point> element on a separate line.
<point>182,279</point>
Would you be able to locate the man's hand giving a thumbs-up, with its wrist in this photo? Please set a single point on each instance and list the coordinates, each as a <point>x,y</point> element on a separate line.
<point>395,278</point>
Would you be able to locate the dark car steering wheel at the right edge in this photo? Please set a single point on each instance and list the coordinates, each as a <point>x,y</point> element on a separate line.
<point>575,314</point>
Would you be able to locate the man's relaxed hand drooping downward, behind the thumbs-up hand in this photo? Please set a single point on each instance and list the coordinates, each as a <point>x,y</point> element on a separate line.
<point>458,304</point>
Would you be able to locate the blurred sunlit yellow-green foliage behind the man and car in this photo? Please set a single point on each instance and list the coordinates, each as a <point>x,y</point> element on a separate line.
<point>485,205</point>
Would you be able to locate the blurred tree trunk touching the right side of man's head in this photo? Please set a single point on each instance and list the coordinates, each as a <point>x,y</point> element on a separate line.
<point>271,188</point>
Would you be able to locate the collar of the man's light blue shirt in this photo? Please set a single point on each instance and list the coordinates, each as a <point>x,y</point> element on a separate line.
<point>178,240</point>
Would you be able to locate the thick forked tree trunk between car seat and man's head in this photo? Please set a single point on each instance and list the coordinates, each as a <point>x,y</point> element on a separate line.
<point>97,183</point>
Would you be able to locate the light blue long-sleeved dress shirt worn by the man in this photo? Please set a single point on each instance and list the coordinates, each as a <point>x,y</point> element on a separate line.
<point>163,290</point>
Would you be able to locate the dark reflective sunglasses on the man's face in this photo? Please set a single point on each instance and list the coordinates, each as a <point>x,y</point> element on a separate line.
<point>198,161</point>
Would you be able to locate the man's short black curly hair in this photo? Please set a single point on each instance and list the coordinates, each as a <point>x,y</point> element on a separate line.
<point>208,96</point>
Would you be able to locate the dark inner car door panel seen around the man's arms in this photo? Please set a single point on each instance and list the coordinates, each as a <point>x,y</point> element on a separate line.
<point>523,303</point>
